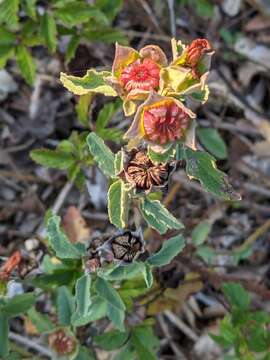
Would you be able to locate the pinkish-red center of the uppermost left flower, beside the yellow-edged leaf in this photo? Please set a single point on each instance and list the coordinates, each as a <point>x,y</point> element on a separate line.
<point>141,75</point>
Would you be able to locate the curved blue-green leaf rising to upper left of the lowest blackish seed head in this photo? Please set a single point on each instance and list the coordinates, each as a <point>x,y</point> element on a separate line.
<point>63,248</point>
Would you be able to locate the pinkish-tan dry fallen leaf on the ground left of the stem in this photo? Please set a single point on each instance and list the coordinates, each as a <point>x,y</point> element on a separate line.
<point>75,226</point>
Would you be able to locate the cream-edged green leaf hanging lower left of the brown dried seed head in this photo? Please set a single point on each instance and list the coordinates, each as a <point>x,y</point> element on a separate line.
<point>118,204</point>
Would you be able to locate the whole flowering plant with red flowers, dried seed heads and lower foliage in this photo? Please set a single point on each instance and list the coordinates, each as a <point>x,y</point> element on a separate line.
<point>108,275</point>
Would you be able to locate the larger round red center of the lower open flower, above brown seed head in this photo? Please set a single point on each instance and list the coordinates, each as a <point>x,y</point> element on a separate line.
<point>165,123</point>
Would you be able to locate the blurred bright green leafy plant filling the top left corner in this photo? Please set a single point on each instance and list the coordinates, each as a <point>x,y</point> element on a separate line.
<point>26,24</point>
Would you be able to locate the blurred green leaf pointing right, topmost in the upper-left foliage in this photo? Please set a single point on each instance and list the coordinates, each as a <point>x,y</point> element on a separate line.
<point>77,13</point>
